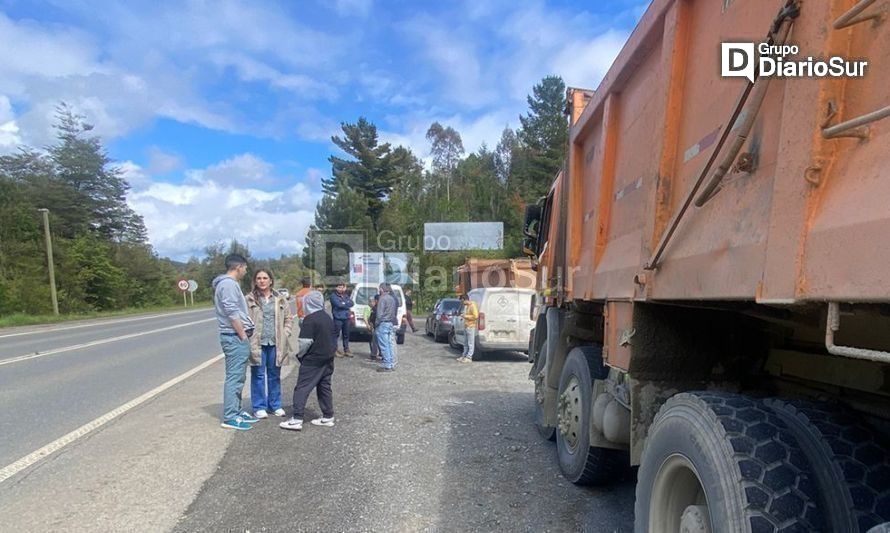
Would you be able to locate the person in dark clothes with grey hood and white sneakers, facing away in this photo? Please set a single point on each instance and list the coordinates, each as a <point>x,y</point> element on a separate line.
<point>316,355</point>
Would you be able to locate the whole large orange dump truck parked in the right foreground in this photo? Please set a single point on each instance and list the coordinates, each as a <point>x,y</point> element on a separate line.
<point>714,271</point>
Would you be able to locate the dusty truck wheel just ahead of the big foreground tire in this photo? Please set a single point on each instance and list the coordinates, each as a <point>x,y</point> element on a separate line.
<point>580,463</point>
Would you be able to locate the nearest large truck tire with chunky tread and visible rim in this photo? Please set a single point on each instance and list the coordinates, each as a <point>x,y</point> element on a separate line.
<point>723,462</point>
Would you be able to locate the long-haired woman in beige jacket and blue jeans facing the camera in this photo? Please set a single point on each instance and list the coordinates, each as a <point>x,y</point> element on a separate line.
<point>270,344</point>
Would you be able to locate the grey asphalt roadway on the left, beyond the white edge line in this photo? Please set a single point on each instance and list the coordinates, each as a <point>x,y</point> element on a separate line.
<point>66,388</point>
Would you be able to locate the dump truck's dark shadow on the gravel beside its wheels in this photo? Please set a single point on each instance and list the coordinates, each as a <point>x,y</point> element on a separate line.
<point>503,477</point>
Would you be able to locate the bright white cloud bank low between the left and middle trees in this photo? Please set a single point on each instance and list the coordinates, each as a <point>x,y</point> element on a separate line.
<point>182,219</point>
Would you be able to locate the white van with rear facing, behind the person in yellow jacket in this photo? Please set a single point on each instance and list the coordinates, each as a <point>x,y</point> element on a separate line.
<point>504,319</point>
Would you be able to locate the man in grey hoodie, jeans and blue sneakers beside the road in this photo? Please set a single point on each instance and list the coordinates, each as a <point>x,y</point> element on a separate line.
<point>235,329</point>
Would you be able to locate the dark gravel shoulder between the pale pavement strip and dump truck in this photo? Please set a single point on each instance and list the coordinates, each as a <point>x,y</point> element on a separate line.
<point>434,446</point>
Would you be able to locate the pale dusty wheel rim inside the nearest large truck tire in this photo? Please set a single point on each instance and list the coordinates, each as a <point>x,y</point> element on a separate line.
<point>678,499</point>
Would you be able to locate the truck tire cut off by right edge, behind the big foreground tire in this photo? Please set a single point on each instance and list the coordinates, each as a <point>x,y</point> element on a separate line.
<point>852,468</point>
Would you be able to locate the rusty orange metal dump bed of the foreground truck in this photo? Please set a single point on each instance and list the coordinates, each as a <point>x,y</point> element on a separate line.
<point>800,217</point>
